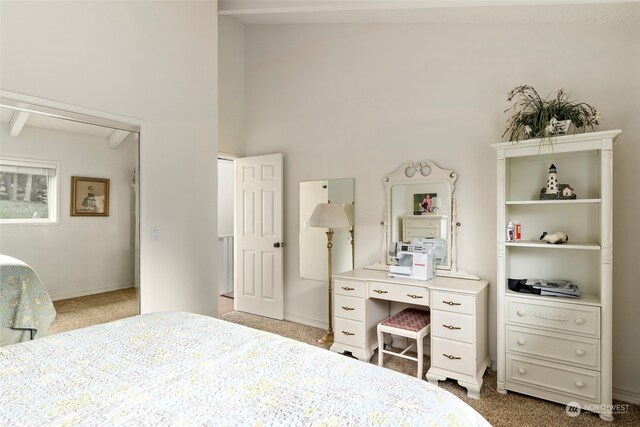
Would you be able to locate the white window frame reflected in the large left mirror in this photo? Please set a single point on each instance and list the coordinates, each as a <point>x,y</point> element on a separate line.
<point>53,203</point>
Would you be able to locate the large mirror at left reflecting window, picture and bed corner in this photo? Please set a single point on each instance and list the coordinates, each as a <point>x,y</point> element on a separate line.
<point>80,254</point>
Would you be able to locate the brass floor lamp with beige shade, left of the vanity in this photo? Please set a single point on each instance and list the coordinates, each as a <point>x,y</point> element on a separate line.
<point>327,215</point>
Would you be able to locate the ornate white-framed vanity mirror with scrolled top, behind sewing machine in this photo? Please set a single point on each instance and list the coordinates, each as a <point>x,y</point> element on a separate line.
<point>420,208</point>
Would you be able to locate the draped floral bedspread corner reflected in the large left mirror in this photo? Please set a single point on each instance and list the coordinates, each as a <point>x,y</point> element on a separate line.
<point>24,303</point>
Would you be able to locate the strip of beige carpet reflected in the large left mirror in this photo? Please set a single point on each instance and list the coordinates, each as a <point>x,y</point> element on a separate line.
<point>74,313</point>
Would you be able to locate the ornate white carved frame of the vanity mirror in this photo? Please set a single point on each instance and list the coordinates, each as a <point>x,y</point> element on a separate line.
<point>426,172</point>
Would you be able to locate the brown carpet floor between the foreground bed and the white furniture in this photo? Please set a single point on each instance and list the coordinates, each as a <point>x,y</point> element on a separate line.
<point>509,410</point>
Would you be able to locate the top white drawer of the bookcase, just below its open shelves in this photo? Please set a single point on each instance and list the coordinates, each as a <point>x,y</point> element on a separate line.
<point>561,317</point>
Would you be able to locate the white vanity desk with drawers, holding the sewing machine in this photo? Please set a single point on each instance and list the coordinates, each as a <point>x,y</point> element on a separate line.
<point>459,348</point>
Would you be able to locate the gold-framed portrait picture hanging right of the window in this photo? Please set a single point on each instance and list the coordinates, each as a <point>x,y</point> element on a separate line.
<point>89,196</point>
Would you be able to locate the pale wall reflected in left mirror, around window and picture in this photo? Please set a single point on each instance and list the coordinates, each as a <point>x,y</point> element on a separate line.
<point>80,255</point>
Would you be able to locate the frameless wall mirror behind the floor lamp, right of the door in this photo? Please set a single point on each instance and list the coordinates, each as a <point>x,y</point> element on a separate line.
<point>313,241</point>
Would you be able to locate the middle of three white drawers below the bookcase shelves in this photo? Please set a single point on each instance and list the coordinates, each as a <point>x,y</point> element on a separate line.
<point>561,348</point>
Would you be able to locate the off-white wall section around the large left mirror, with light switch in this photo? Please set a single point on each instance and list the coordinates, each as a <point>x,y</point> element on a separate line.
<point>156,61</point>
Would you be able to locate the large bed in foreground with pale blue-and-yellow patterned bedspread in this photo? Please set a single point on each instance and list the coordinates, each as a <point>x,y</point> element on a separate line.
<point>186,369</point>
